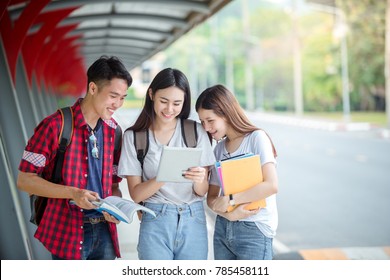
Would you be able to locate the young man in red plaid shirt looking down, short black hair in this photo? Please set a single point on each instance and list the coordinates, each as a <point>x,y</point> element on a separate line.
<point>76,231</point>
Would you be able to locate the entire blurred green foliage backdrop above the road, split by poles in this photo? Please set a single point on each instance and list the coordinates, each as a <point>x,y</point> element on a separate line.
<point>215,52</point>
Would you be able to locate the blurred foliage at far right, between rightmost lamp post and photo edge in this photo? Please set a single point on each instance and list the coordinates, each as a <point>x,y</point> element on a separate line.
<point>366,21</point>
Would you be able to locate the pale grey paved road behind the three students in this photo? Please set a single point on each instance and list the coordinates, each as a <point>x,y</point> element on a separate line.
<point>334,188</point>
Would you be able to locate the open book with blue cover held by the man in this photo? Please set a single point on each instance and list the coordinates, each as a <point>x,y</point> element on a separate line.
<point>122,209</point>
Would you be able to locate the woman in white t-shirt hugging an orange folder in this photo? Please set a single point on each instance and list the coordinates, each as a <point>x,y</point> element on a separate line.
<point>240,234</point>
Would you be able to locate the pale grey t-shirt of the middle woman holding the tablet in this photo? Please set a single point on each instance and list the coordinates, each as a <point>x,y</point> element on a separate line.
<point>170,193</point>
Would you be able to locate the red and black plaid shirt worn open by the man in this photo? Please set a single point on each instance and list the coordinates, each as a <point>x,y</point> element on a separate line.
<point>61,228</point>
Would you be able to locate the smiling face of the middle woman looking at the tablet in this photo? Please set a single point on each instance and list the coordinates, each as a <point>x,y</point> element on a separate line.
<point>167,103</point>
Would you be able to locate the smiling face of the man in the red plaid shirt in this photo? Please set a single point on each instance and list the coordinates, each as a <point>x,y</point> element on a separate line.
<point>108,97</point>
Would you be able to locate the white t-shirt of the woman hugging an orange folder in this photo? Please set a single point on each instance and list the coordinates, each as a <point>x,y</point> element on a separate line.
<point>256,142</point>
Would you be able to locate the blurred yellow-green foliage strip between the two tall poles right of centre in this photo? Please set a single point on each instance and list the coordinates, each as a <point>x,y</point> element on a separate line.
<point>320,60</point>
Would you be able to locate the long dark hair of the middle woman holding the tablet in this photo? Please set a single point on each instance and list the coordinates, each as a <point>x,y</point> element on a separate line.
<point>167,77</point>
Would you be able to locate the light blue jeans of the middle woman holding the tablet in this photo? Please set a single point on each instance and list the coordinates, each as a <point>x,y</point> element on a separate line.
<point>179,232</point>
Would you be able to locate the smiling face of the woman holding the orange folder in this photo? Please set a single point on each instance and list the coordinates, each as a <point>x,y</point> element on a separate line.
<point>215,125</point>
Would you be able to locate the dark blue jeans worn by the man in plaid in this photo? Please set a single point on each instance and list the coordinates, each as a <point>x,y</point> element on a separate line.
<point>97,244</point>
